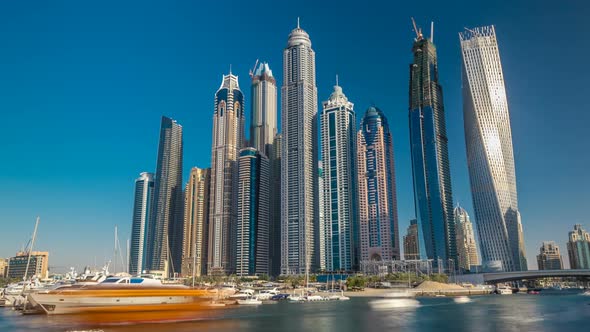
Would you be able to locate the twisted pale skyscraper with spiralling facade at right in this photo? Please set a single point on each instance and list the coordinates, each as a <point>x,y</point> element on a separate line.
<point>489,152</point>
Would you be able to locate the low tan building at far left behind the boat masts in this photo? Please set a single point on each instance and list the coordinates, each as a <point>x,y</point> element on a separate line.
<point>38,265</point>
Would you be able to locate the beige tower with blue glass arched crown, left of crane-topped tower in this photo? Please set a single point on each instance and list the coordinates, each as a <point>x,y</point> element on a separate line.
<point>228,138</point>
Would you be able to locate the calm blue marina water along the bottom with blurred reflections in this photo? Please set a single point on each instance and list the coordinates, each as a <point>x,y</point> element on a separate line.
<point>561,311</point>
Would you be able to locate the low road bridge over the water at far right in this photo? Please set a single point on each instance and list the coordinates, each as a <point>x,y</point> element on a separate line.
<point>499,277</point>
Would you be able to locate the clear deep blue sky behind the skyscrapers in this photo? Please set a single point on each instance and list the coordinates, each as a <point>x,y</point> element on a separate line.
<point>83,86</point>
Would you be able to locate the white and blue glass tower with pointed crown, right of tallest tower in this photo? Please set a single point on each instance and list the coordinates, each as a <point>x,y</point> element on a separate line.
<point>338,129</point>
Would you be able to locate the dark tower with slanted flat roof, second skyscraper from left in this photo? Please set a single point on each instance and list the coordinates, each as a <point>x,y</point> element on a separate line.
<point>166,220</point>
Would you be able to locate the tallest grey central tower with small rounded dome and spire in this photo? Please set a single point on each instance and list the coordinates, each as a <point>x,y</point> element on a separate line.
<point>298,155</point>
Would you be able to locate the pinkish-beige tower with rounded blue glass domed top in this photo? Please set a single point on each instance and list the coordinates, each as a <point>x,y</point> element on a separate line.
<point>379,236</point>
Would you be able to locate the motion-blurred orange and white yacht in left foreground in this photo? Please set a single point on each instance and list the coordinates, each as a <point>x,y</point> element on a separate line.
<point>130,297</point>
